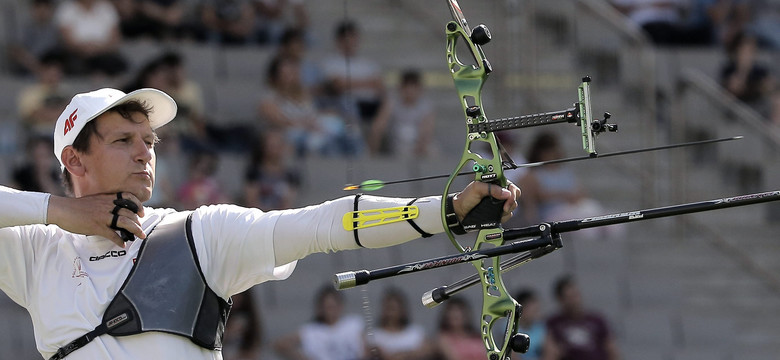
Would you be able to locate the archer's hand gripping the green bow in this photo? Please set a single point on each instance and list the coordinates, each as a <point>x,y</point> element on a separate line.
<point>476,191</point>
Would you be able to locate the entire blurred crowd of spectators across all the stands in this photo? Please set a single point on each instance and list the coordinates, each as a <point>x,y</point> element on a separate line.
<point>337,106</point>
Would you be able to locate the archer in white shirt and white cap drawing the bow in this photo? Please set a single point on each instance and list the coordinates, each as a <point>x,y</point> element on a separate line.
<point>65,258</point>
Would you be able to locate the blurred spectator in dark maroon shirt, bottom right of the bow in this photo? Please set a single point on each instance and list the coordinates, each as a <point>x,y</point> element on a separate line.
<point>575,333</point>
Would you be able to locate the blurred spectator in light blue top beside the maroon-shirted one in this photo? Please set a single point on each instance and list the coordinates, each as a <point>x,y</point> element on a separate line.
<point>532,325</point>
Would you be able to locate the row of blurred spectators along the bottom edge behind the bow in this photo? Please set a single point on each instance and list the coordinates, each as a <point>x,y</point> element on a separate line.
<point>570,331</point>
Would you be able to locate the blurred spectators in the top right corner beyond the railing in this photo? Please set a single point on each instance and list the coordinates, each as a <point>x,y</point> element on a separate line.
<point>739,27</point>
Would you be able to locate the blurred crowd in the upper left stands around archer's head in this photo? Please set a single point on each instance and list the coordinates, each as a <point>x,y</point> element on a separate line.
<point>338,106</point>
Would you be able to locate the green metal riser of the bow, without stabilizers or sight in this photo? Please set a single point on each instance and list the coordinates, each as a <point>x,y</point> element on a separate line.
<point>497,306</point>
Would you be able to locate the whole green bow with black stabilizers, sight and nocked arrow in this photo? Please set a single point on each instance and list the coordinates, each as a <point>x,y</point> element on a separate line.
<point>492,240</point>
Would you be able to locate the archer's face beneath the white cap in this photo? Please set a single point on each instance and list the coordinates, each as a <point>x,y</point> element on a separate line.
<point>120,157</point>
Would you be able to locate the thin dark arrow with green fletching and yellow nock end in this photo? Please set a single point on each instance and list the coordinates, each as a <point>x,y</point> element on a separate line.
<point>373,185</point>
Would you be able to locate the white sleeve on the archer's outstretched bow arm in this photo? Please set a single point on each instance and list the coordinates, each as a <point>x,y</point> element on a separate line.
<point>240,247</point>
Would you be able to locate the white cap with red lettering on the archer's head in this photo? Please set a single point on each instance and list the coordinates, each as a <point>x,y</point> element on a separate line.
<point>85,107</point>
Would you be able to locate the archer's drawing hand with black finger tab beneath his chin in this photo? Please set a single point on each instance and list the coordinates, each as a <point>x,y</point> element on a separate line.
<point>92,215</point>
